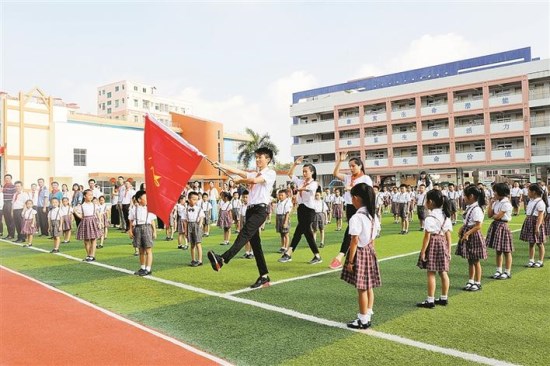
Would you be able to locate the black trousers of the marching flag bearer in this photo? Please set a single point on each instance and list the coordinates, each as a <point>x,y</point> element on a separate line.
<point>255,217</point>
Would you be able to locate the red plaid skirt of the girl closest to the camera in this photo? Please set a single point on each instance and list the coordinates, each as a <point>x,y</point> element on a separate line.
<point>366,274</point>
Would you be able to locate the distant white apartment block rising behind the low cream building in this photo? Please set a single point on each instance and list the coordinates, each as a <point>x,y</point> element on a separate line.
<point>130,101</point>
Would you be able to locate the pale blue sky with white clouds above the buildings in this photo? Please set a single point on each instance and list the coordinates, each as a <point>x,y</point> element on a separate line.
<point>238,63</point>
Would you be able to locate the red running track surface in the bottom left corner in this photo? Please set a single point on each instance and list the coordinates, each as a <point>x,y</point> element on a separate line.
<point>40,326</point>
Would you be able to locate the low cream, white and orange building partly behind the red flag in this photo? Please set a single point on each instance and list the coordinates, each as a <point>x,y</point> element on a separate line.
<point>42,136</point>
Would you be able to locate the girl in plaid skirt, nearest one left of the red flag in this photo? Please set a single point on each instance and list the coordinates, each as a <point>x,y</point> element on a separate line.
<point>89,229</point>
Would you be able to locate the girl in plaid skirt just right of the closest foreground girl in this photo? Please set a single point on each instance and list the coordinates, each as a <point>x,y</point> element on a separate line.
<point>435,254</point>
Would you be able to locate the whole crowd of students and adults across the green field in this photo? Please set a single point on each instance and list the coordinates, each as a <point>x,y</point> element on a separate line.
<point>246,204</point>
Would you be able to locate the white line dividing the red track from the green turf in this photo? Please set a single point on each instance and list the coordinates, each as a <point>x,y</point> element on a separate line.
<point>124,320</point>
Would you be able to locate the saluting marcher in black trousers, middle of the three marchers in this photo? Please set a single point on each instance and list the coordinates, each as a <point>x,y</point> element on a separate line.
<point>306,188</point>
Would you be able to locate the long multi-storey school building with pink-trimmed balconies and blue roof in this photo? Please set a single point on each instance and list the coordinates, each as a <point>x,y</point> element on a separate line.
<point>486,115</point>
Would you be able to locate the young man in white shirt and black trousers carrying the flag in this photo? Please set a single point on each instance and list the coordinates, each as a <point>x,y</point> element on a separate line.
<point>259,197</point>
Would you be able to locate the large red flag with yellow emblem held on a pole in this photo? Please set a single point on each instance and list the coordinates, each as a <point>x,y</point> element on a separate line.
<point>169,163</point>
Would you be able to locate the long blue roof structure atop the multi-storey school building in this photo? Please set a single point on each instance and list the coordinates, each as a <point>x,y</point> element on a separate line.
<point>501,59</point>
